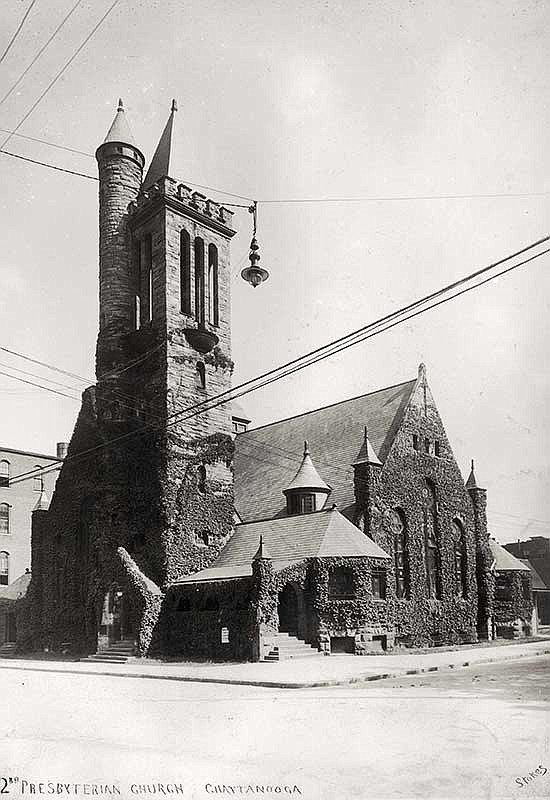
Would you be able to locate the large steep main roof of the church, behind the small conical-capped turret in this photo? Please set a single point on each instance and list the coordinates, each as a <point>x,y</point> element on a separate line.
<point>266,459</point>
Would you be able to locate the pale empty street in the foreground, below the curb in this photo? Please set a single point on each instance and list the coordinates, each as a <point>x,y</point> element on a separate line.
<point>473,732</point>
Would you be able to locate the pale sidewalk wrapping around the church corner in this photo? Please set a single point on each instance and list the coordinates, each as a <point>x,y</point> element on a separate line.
<point>295,674</point>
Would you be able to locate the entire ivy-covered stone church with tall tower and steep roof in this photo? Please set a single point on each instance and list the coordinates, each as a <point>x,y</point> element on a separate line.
<point>348,528</point>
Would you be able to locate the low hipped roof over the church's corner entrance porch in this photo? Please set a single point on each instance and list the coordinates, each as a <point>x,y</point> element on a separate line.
<point>288,541</point>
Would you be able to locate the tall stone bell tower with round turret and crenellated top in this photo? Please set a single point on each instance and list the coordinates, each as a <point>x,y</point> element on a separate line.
<point>164,353</point>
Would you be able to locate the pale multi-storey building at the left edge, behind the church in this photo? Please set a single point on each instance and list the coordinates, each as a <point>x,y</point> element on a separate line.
<point>18,498</point>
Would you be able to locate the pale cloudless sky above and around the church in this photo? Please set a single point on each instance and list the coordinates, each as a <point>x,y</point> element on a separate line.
<point>284,101</point>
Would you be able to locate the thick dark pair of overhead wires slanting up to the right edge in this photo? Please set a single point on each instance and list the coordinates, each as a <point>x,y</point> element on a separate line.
<point>367,331</point>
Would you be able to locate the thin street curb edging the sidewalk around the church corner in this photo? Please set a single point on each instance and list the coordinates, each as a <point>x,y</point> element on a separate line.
<point>403,673</point>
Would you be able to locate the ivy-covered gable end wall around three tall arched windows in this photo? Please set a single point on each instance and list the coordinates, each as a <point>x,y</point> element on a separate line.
<point>421,452</point>
